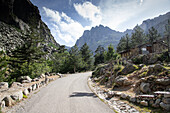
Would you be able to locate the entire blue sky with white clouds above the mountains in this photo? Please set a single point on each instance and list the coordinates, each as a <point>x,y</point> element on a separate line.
<point>67,19</point>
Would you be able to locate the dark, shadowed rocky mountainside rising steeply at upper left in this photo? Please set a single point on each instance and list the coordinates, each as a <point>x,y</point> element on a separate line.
<point>19,18</point>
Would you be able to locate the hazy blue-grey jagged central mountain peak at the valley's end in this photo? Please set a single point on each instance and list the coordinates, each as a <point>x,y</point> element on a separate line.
<point>99,35</point>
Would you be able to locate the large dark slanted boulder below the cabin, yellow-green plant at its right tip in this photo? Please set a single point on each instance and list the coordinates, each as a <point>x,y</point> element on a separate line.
<point>128,69</point>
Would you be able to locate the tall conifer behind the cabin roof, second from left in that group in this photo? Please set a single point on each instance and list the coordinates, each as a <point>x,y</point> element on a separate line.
<point>138,36</point>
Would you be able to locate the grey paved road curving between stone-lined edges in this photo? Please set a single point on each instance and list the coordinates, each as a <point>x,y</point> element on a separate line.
<point>66,95</point>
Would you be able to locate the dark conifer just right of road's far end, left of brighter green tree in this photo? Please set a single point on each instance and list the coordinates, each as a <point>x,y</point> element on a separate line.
<point>99,55</point>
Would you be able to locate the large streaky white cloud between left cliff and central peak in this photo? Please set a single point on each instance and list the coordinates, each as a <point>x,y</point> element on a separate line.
<point>65,30</point>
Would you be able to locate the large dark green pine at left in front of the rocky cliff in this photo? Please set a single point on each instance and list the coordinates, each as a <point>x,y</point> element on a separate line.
<point>24,56</point>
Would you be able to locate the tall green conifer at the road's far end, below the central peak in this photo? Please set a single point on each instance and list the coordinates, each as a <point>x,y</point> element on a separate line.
<point>86,57</point>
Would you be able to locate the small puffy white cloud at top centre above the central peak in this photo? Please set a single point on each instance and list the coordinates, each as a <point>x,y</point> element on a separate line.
<point>89,11</point>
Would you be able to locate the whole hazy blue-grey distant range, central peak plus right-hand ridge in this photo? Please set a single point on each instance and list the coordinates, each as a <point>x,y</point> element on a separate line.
<point>104,36</point>
